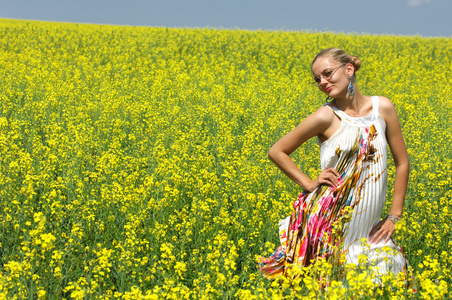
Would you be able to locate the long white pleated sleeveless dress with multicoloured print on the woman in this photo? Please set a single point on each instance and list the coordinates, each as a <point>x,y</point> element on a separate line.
<point>358,151</point>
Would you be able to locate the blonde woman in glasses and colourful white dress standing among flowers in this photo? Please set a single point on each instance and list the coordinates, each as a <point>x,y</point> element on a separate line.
<point>353,131</point>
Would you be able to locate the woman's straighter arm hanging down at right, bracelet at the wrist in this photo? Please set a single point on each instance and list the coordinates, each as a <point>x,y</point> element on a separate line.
<point>401,160</point>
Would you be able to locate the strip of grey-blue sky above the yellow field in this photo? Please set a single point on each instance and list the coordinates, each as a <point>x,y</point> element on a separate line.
<point>398,17</point>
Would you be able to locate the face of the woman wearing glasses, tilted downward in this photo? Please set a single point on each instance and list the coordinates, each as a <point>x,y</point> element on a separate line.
<point>332,77</point>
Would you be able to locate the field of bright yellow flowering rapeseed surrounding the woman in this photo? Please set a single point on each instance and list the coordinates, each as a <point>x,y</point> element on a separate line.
<point>134,160</point>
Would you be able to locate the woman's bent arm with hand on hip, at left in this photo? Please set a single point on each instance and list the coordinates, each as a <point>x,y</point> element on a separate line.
<point>316,124</point>
